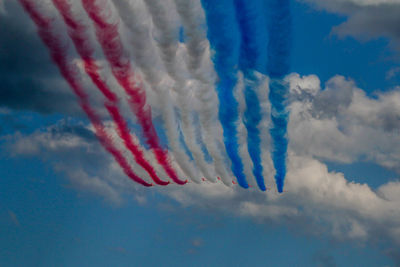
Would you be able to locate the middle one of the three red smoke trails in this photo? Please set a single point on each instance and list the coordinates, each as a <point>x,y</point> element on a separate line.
<point>77,32</point>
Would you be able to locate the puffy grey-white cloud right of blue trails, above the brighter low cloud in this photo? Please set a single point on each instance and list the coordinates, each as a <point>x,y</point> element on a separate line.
<point>341,123</point>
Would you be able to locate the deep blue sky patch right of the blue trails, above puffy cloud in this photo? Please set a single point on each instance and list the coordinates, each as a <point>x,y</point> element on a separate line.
<point>317,51</point>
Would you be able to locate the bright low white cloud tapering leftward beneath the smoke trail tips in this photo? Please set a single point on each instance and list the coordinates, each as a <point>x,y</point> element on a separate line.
<point>316,201</point>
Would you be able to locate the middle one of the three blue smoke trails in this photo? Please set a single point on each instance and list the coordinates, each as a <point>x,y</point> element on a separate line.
<point>252,56</point>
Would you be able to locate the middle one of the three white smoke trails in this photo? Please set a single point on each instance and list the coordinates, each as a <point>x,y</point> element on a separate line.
<point>168,44</point>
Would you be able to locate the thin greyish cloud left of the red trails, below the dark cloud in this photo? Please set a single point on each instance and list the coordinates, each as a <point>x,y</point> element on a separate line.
<point>73,150</point>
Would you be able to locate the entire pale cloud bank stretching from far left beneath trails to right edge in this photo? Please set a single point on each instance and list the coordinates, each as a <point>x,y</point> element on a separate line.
<point>353,126</point>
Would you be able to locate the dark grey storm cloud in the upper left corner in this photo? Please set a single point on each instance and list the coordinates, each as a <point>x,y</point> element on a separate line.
<point>25,86</point>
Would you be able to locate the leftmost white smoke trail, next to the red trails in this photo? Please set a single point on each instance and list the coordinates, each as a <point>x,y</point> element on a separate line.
<point>145,54</point>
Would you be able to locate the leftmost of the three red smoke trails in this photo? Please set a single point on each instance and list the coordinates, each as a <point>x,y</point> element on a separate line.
<point>57,53</point>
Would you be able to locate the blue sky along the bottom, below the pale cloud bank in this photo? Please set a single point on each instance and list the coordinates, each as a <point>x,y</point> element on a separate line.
<point>55,225</point>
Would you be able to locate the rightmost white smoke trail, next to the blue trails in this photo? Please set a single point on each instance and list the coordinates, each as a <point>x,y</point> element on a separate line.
<point>200,67</point>
